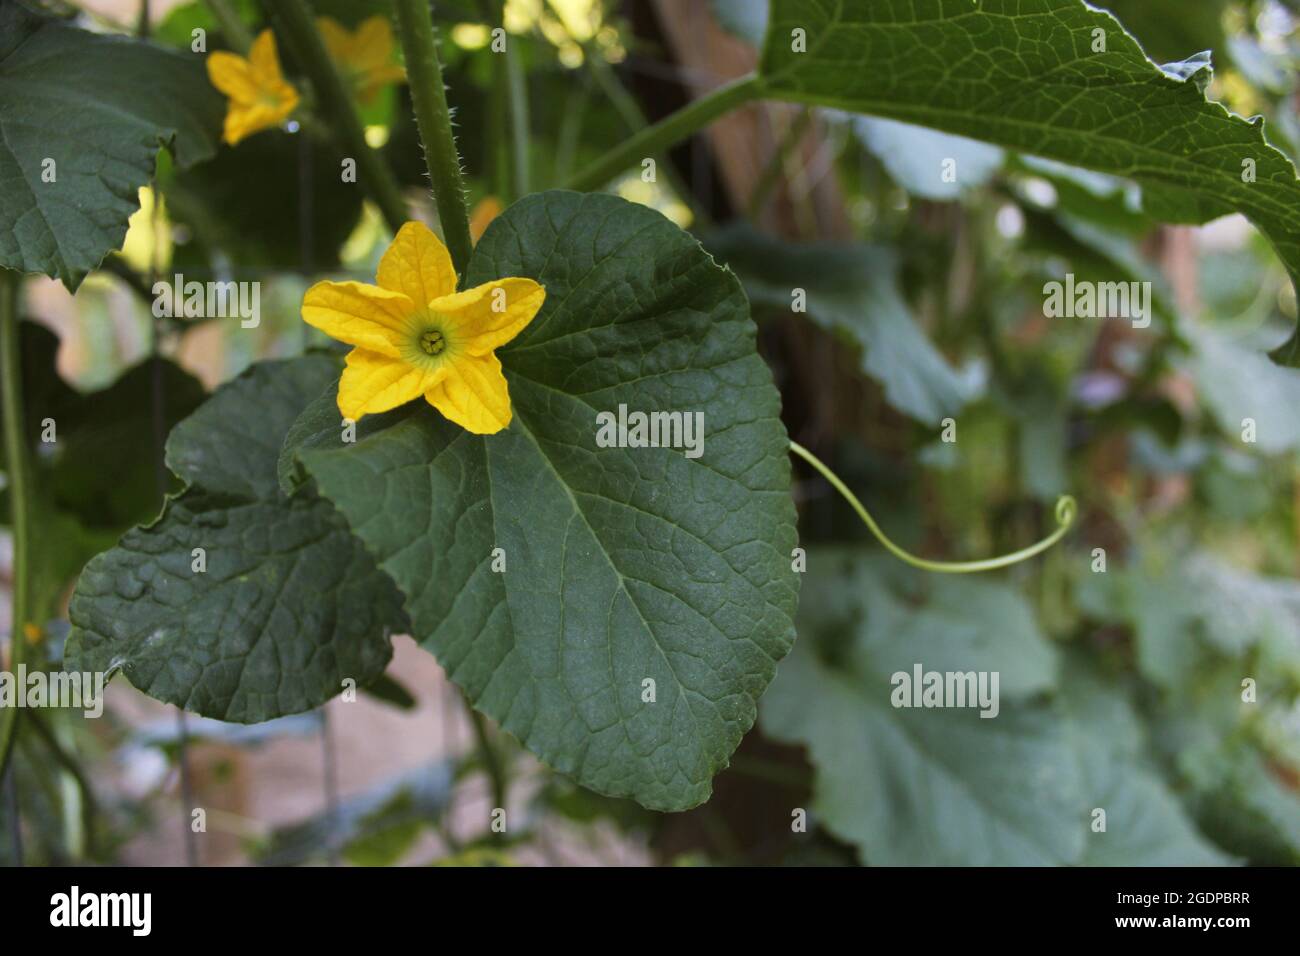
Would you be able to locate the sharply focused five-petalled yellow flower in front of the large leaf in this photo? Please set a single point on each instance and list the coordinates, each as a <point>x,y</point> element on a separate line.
<point>415,335</point>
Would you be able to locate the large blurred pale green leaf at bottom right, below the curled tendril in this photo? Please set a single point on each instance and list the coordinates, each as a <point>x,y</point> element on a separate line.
<point>948,788</point>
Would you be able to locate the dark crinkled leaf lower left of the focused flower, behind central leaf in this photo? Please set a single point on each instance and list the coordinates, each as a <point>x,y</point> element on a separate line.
<point>291,604</point>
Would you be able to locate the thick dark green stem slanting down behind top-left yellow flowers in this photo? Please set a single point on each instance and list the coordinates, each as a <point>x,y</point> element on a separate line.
<point>332,94</point>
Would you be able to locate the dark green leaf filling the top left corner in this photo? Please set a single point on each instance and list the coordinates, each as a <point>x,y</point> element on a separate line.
<point>99,107</point>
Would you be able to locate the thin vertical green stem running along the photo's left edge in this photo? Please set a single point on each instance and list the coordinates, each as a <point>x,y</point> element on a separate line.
<point>20,492</point>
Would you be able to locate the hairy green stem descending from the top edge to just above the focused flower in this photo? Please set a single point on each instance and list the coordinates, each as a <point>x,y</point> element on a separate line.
<point>430,96</point>
